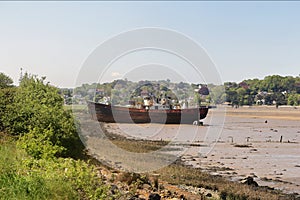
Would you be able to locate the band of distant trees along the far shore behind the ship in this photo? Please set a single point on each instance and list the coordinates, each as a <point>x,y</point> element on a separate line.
<point>245,93</point>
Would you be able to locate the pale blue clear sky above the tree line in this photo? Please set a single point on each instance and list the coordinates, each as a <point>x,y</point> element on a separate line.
<point>243,39</point>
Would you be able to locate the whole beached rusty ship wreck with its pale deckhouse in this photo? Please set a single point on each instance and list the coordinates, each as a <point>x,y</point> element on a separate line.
<point>152,110</point>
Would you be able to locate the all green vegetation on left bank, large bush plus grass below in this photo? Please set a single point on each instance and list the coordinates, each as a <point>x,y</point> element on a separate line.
<point>39,145</point>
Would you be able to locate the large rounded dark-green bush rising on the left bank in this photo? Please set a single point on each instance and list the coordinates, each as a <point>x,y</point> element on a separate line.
<point>35,113</point>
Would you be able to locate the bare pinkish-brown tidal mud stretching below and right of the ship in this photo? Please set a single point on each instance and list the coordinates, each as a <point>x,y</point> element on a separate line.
<point>260,142</point>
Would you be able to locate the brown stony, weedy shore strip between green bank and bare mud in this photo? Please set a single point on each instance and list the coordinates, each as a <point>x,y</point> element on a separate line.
<point>175,181</point>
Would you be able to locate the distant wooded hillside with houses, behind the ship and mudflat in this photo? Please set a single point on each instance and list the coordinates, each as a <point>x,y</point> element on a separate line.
<point>275,89</point>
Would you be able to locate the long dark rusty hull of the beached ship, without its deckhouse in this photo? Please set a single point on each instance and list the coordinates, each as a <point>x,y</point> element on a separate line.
<point>112,114</point>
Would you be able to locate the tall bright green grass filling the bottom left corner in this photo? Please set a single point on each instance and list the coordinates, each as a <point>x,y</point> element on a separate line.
<point>18,181</point>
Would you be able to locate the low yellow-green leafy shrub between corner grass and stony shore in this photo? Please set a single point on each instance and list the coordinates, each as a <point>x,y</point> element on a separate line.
<point>80,176</point>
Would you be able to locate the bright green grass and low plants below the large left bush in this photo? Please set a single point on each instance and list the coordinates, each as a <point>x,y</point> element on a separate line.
<point>22,177</point>
